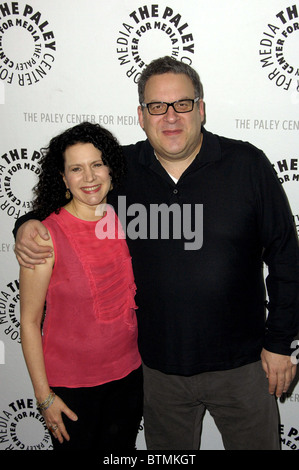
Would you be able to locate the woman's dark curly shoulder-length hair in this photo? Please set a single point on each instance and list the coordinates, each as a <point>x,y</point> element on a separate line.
<point>50,189</point>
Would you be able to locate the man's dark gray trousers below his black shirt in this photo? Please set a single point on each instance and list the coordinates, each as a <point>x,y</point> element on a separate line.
<point>238,400</point>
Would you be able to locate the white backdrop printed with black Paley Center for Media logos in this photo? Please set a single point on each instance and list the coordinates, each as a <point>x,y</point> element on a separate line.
<point>62,63</point>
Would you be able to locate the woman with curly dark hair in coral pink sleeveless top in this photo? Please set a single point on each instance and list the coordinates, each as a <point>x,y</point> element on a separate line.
<point>84,365</point>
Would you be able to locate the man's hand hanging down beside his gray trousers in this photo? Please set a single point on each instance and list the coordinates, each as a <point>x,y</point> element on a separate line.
<point>280,372</point>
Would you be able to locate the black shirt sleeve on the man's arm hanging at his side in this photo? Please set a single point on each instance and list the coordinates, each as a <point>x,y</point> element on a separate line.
<point>281,255</point>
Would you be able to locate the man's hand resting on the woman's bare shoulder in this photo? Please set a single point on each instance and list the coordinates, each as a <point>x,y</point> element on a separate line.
<point>27,251</point>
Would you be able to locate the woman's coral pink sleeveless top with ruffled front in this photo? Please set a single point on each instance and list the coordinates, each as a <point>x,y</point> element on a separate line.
<point>90,328</point>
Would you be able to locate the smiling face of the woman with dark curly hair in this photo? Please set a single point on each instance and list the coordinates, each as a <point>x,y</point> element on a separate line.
<point>85,174</point>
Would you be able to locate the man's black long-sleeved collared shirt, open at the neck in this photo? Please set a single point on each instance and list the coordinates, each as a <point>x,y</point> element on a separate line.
<point>204,309</point>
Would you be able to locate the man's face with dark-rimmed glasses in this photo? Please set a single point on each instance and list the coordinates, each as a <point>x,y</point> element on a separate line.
<point>174,136</point>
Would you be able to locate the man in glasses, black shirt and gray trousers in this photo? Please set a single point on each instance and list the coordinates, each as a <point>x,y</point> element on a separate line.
<point>203,337</point>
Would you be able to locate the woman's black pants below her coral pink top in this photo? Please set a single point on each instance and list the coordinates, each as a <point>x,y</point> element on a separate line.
<point>108,415</point>
